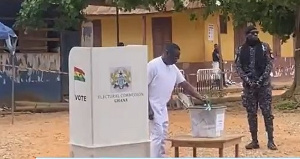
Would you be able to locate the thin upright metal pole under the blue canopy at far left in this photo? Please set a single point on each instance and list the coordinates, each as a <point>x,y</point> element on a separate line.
<point>13,88</point>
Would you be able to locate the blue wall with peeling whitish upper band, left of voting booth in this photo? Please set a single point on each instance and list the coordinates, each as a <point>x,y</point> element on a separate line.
<point>31,85</point>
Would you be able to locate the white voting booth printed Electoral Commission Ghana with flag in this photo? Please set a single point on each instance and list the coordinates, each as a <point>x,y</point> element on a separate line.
<point>108,94</point>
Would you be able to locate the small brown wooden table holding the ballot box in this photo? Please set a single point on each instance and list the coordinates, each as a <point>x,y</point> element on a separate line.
<point>220,143</point>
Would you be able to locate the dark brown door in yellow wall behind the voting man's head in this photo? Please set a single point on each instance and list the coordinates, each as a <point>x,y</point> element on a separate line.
<point>161,34</point>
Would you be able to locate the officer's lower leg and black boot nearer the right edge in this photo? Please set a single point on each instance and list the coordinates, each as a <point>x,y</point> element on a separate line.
<point>269,128</point>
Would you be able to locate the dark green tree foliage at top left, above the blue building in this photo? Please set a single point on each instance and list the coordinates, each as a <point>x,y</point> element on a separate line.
<point>67,14</point>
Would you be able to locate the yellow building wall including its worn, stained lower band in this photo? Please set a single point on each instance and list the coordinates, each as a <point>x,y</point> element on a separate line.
<point>192,37</point>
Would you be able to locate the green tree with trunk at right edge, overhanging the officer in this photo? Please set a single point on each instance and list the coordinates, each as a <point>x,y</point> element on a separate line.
<point>280,18</point>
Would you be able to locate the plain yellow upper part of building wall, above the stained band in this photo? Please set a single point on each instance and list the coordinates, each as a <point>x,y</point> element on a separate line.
<point>191,36</point>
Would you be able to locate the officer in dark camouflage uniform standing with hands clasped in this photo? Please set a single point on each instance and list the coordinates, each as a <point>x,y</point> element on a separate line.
<point>253,65</point>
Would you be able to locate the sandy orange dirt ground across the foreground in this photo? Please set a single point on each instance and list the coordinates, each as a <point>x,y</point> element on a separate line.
<point>47,135</point>
